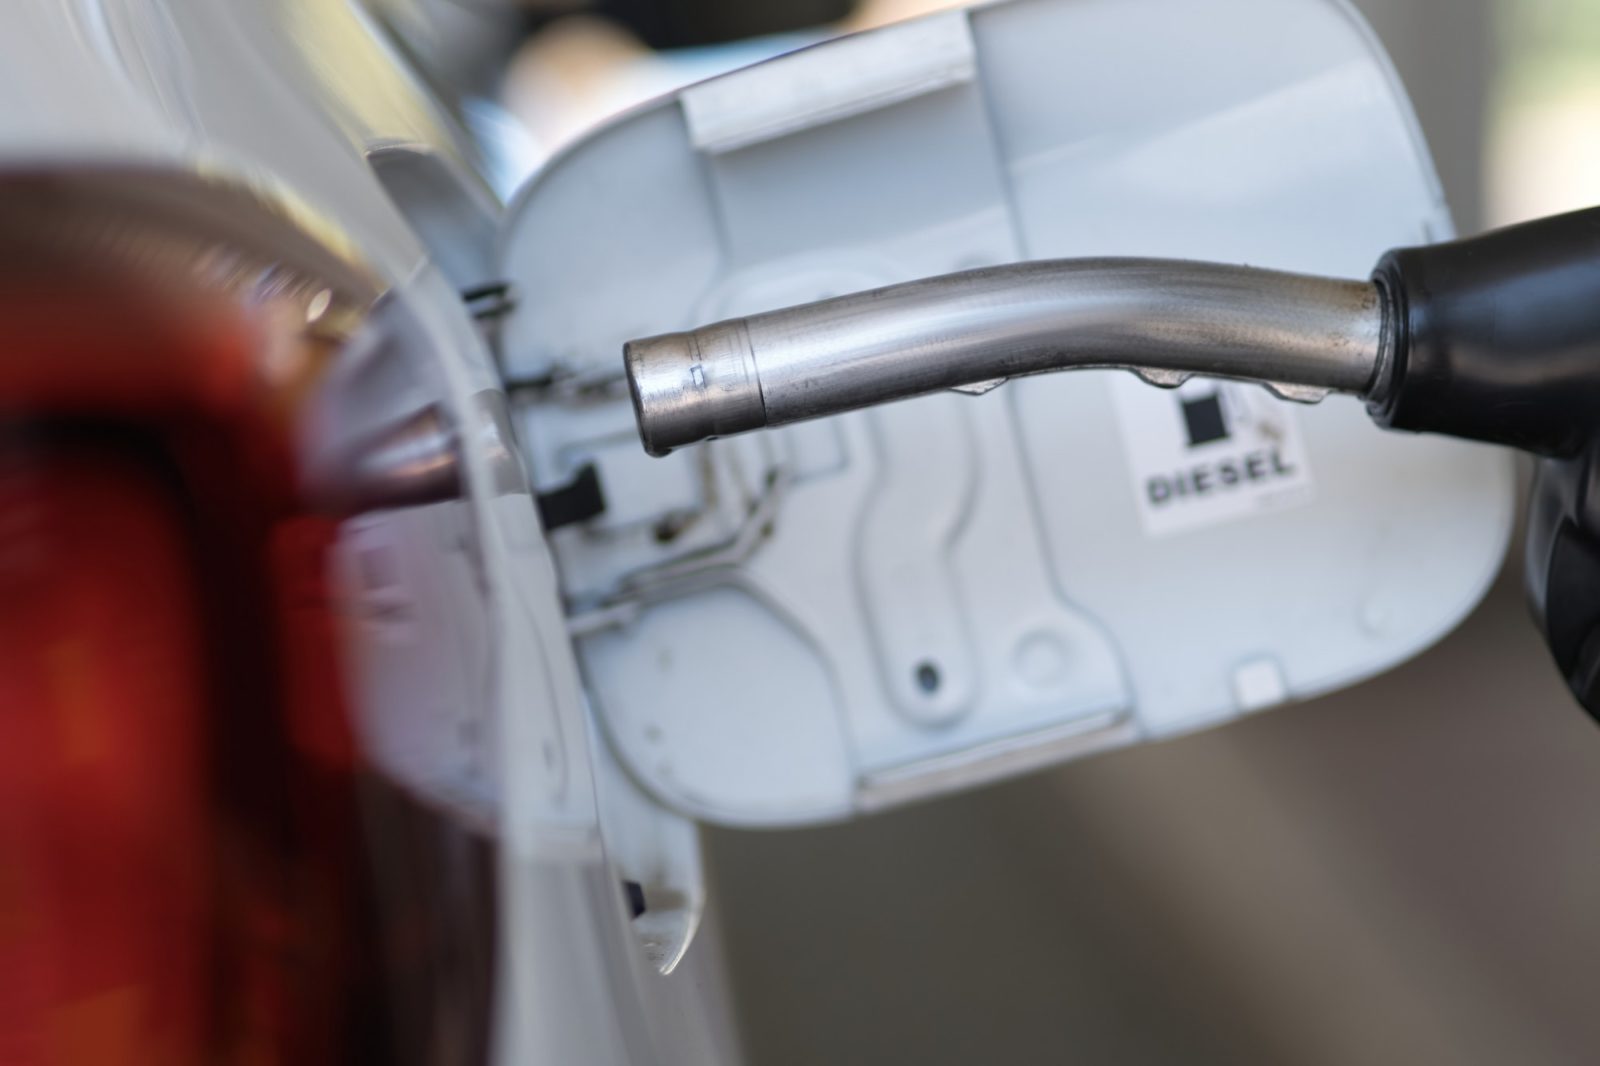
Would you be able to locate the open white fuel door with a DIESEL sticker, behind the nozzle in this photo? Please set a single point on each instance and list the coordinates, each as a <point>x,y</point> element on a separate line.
<point>801,625</point>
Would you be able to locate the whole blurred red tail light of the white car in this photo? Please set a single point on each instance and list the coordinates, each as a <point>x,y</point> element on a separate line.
<point>180,876</point>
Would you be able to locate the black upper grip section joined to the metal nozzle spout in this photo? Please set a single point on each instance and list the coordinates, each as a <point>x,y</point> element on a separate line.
<point>1497,337</point>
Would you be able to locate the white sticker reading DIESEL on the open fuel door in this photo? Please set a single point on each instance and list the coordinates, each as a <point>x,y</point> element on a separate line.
<point>1209,452</point>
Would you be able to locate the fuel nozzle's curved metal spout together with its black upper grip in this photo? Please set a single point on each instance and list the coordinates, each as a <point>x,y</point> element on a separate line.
<point>1494,339</point>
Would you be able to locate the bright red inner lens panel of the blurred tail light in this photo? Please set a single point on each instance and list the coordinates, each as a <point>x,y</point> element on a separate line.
<point>106,904</point>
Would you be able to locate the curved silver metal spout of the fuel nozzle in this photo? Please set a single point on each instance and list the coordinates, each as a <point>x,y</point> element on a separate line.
<point>1166,319</point>
